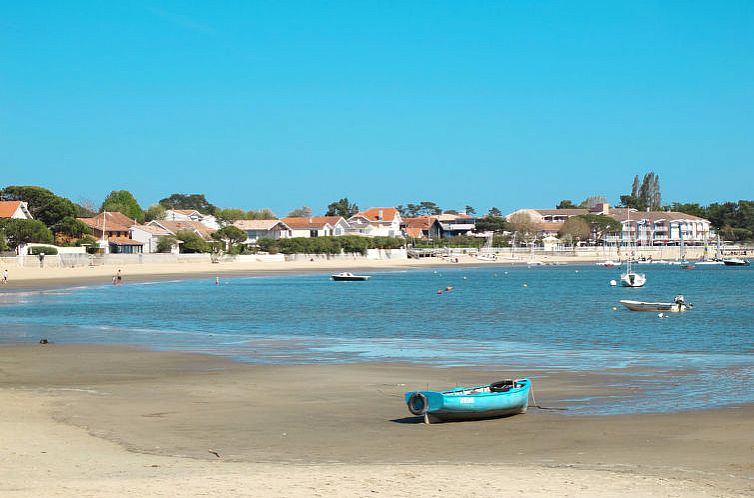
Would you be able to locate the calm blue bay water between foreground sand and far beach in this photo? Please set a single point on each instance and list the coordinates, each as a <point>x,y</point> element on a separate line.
<point>507,317</point>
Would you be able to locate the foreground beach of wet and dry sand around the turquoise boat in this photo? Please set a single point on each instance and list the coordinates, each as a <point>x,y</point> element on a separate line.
<point>82,420</point>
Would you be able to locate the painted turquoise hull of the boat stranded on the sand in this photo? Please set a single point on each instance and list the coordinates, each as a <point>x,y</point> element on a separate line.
<point>454,405</point>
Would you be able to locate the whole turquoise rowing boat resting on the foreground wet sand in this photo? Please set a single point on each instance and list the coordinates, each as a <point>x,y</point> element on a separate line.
<point>498,399</point>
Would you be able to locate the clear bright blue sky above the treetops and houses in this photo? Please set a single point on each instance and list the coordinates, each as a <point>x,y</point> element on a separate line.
<point>278,104</point>
